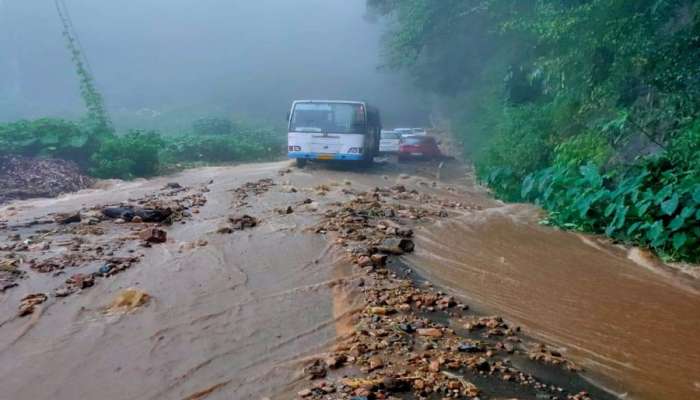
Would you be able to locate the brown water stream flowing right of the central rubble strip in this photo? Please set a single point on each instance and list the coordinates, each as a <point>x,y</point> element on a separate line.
<point>635,327</point>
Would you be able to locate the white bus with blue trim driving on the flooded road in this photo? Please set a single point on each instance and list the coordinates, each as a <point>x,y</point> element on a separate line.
<point>333,130</point>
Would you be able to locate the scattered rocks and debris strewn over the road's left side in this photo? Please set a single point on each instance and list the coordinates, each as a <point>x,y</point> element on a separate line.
<point>77,250</point>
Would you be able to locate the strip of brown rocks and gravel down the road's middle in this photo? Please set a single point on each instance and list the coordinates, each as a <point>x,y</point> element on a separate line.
<point>412,340</point>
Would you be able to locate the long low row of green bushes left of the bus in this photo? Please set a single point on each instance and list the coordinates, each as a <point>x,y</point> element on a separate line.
<point>137,153</point>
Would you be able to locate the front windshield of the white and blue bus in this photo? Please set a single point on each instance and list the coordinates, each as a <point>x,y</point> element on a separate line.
<point>328,118</point>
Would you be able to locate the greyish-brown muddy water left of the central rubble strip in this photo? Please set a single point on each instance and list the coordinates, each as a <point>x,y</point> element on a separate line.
<point>233,319</point>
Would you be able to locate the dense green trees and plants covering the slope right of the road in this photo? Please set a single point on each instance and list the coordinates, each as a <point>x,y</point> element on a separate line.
<point>590,108</point>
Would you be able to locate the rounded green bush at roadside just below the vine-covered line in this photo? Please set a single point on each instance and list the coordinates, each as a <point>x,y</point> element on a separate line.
<point>135,154</point>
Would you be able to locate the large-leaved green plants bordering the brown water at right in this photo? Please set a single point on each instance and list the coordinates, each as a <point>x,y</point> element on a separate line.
<point>655,204</point>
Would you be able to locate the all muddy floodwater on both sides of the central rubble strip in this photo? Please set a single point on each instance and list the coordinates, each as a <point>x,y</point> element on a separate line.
<point>237,316</point>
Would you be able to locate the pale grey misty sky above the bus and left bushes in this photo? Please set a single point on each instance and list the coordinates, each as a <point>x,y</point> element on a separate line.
<point>187,57</point>
